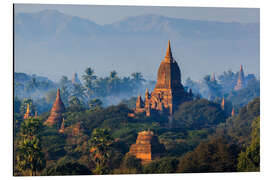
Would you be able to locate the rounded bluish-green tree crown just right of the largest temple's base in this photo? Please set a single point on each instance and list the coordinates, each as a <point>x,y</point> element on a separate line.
<point>198,114</point>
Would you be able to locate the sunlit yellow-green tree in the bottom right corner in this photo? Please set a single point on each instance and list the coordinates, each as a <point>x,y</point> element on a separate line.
<point>249,160</point>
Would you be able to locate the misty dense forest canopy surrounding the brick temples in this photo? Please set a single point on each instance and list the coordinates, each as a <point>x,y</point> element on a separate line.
<point>98,132</point>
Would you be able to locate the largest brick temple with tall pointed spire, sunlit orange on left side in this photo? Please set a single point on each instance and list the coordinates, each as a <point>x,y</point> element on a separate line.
<point>168,94</point>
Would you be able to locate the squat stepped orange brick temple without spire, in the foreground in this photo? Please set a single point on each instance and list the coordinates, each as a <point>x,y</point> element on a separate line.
<point>147,147</point>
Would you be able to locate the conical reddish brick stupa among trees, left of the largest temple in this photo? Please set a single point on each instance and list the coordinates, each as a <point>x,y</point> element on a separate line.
<point>56,111</point>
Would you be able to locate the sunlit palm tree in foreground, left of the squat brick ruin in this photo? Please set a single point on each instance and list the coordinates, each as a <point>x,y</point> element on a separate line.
<point>100,150</point>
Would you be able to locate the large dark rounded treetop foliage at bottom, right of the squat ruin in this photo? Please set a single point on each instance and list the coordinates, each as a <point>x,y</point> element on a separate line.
<point>216,155</point>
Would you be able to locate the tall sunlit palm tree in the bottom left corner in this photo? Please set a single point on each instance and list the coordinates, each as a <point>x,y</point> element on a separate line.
<point>29,156</point>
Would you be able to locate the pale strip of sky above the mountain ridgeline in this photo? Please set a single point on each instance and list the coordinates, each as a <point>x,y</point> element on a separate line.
<point>117,13</point>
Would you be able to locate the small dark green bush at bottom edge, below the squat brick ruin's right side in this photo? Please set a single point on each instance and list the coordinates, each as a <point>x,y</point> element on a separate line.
<point>164,165</point>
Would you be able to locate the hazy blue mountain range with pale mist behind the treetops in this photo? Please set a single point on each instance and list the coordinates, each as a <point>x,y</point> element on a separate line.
<point>52,43</point>
